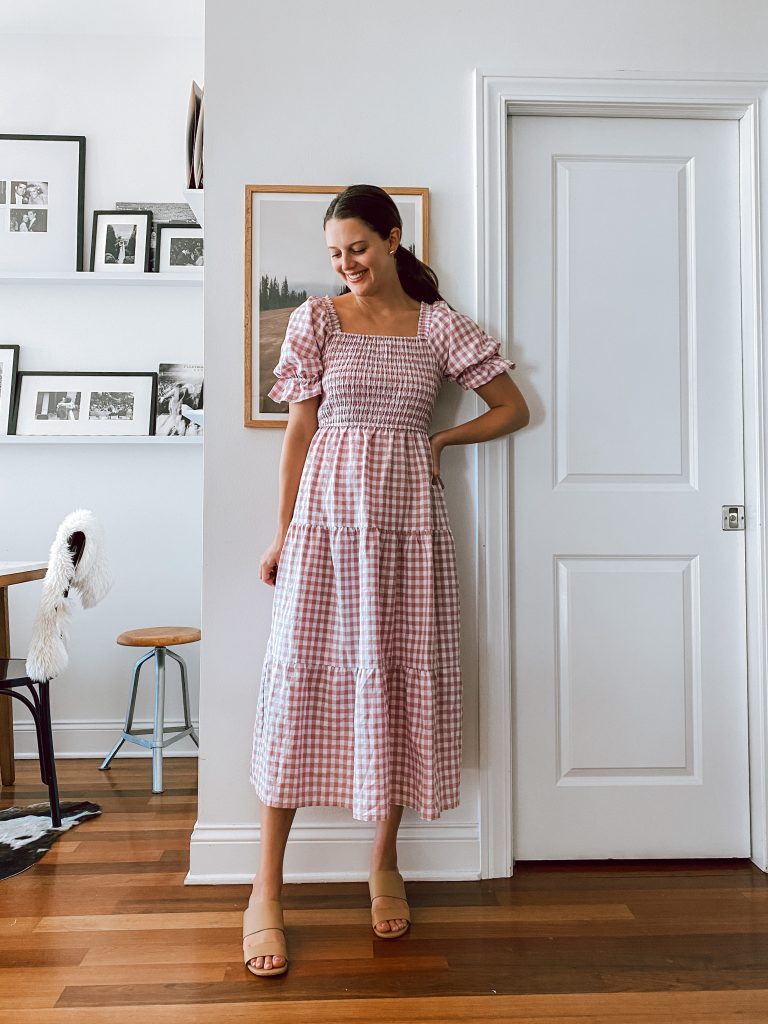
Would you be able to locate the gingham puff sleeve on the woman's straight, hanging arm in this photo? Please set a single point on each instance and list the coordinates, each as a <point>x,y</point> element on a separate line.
<point>300,371</point>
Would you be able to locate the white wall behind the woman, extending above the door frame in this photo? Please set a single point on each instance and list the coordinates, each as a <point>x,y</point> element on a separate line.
<point>335,94</point>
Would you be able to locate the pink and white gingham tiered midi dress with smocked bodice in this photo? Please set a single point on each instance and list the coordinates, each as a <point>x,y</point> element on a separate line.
<point>361,698</point>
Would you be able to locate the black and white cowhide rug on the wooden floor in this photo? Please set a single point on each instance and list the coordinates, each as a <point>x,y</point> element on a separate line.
<point>26,833</point>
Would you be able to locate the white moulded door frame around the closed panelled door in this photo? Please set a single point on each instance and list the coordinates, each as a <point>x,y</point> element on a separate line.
<point>733,98</point>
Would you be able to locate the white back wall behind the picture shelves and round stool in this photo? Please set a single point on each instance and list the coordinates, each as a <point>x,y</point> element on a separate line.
<point>127,94</point>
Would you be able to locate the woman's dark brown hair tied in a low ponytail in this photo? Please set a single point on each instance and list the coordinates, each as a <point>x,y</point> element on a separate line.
<point>376,208</point>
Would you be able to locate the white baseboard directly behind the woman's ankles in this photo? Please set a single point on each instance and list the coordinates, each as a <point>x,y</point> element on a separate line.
<point>337,852</point>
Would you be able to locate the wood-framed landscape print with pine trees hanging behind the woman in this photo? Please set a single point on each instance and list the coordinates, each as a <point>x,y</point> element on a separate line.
<point>286,261</point>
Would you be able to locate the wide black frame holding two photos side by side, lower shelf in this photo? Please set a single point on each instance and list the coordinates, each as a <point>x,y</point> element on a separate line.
<point>75,405</point>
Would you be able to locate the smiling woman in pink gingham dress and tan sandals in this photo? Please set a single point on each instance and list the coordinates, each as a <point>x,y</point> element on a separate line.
<point>361,699</point>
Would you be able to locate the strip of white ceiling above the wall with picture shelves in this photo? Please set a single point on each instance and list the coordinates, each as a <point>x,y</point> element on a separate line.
<point>152,19</point>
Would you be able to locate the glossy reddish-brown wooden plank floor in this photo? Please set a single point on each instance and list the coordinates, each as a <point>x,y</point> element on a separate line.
<point>103,927</point>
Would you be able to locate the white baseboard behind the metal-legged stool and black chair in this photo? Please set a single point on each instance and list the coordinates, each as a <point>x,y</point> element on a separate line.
<point>95,740</point>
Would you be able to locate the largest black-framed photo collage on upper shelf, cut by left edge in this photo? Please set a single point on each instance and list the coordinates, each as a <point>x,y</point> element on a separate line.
<point>42,195</point>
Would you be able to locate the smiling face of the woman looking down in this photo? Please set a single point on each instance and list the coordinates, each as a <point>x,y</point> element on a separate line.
<point>360,257</point>
